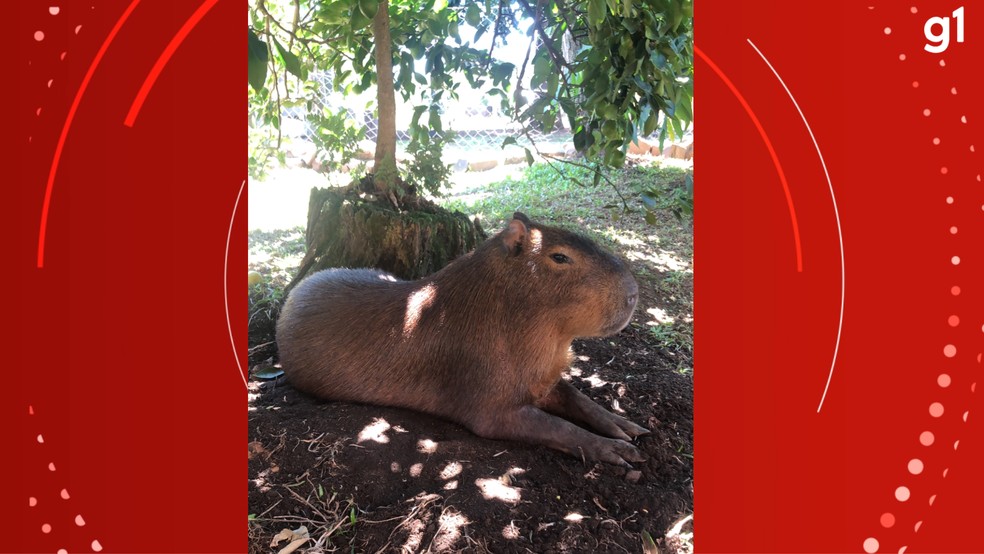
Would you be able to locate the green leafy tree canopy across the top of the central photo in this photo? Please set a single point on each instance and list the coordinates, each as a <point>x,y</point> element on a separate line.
<point>613,70</point>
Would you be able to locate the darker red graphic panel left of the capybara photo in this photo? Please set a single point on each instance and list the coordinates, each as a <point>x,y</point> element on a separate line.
<point>119,345</point>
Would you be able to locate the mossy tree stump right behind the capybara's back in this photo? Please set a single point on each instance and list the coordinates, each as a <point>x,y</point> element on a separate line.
<point>345,230</point>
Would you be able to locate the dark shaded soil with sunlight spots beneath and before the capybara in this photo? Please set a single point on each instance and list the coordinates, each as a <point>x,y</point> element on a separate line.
<point>366,479</point>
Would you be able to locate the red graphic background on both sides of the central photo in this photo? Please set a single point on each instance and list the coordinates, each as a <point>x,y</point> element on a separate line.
<point>119,345</point>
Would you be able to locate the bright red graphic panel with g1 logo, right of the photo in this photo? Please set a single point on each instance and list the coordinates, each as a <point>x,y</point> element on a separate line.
<point>772,474</point>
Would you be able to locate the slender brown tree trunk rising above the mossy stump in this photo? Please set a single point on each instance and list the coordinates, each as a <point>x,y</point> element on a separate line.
<point>384,168</point>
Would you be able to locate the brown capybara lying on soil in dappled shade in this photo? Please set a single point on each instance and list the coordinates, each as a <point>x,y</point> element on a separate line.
<point>482,342</point>
